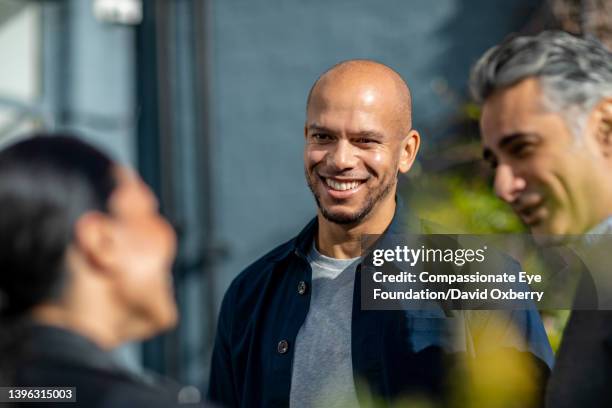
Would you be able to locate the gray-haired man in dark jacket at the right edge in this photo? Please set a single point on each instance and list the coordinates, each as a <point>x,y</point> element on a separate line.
<point>547,131</point>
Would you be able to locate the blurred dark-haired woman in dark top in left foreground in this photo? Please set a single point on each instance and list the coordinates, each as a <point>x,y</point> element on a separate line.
<point>85,266</point>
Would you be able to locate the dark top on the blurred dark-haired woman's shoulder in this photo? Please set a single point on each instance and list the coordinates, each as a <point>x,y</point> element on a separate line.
<point>43,356</point>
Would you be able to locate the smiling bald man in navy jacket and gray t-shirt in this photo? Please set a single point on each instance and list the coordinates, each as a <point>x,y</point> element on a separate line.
<point>291,329</point>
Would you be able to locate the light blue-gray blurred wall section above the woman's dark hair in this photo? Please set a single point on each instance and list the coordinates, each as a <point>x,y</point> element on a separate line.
<point>93,77</point>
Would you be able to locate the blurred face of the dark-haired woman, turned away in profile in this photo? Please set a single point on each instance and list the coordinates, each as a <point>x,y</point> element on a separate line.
<point>145,246</point>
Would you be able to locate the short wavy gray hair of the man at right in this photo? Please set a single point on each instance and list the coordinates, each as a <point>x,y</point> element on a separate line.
<point>574,73</point>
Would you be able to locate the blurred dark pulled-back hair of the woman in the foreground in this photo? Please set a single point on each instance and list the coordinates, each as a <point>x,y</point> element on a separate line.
<point>46,183</point>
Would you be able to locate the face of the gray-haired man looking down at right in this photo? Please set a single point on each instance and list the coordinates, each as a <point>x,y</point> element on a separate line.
<point>548,176</point>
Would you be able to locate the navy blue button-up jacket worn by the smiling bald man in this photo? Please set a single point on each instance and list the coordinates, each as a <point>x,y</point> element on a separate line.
<point>395,353</point>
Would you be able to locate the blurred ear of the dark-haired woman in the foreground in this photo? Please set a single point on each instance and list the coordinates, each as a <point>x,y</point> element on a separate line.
<point>93,236</point>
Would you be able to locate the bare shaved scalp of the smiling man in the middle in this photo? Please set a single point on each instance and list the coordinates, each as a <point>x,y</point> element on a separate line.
<point>367,73</point>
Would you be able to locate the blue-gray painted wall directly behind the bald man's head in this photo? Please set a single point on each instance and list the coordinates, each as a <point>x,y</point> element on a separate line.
<point>266,56</point>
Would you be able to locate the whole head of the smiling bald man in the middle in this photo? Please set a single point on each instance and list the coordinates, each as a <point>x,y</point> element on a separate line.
<point>359,136</point>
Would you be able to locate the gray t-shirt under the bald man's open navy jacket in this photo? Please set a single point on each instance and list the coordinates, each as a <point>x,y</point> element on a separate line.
<point>322,373</point>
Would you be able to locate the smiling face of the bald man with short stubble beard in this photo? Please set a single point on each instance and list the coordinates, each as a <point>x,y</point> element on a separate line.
<point>352,152</point>
